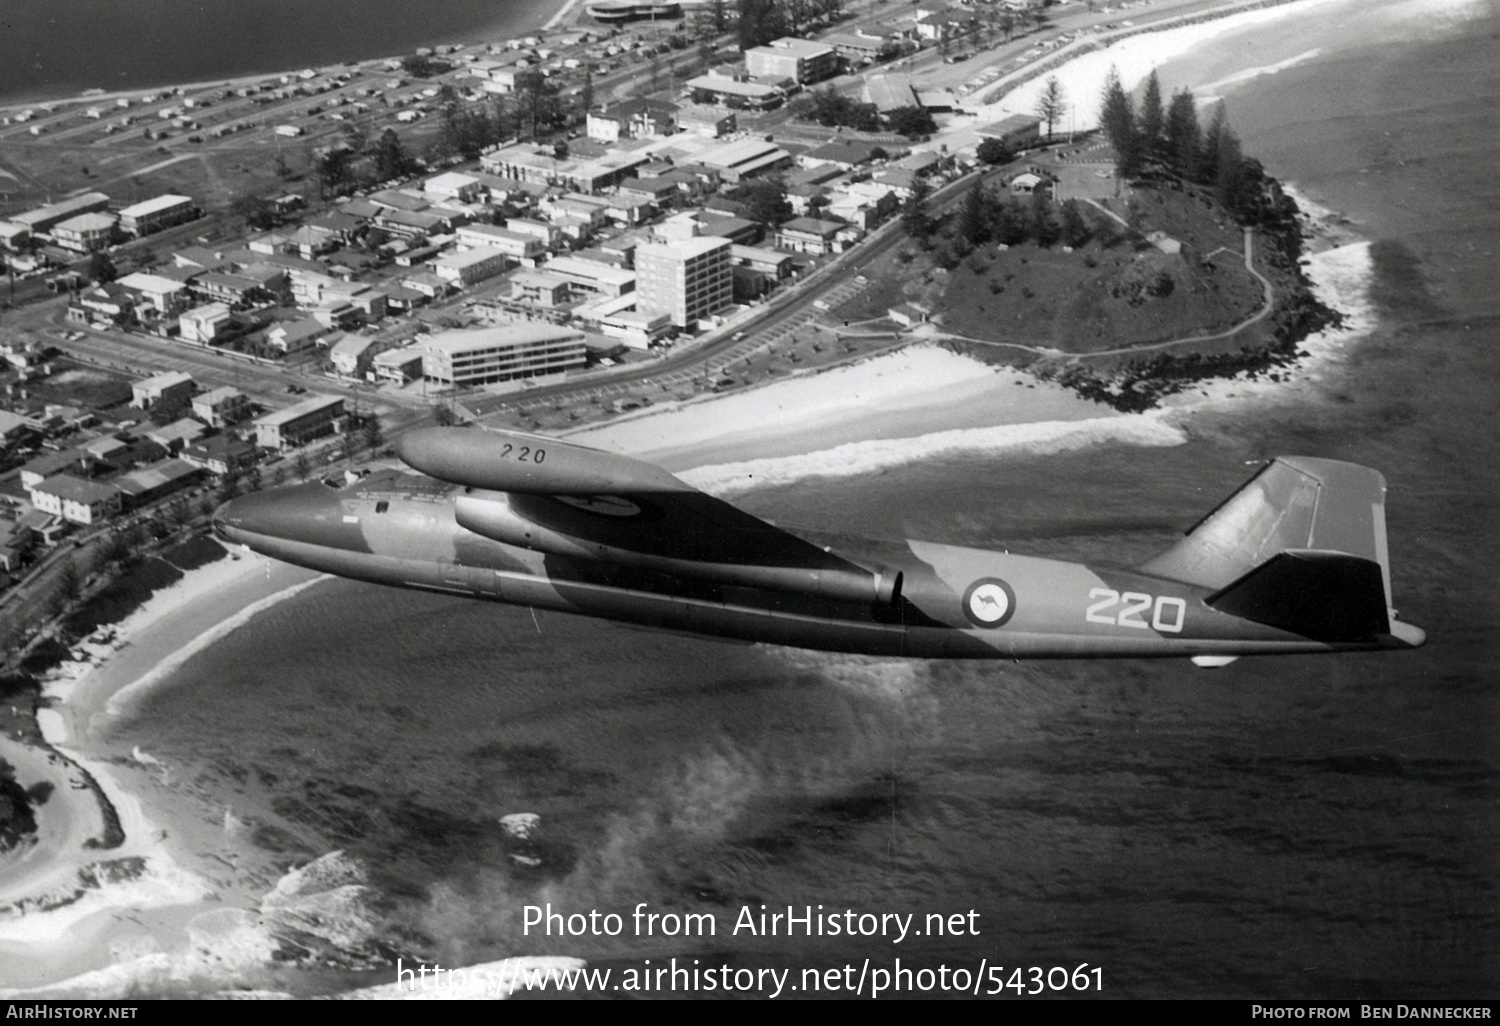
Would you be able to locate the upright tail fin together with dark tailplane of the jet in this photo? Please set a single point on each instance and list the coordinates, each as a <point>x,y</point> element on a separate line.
<point>1301,547</point>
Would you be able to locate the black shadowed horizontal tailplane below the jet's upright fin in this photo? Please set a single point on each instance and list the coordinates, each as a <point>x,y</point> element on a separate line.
<point>1328,596</point>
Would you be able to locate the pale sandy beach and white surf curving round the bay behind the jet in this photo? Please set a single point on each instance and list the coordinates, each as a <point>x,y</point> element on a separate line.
<point>815,416</point>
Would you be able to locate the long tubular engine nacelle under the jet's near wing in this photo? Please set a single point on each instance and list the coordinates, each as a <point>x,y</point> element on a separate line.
<point>491,515</point>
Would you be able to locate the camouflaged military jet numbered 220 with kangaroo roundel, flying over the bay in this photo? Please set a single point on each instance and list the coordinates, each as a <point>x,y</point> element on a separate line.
<point>1295,562</point>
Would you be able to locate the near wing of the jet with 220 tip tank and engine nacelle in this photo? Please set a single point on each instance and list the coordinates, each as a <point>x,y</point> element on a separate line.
<point>575,502</point>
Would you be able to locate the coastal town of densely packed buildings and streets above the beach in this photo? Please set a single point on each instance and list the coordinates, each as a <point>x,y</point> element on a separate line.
<point>638,208</point>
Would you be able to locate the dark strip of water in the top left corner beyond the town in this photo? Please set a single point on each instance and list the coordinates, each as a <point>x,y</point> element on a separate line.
<point>61,47</point>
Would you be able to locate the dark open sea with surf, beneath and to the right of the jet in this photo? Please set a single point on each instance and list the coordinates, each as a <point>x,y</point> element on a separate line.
<point>1298,827</point>
